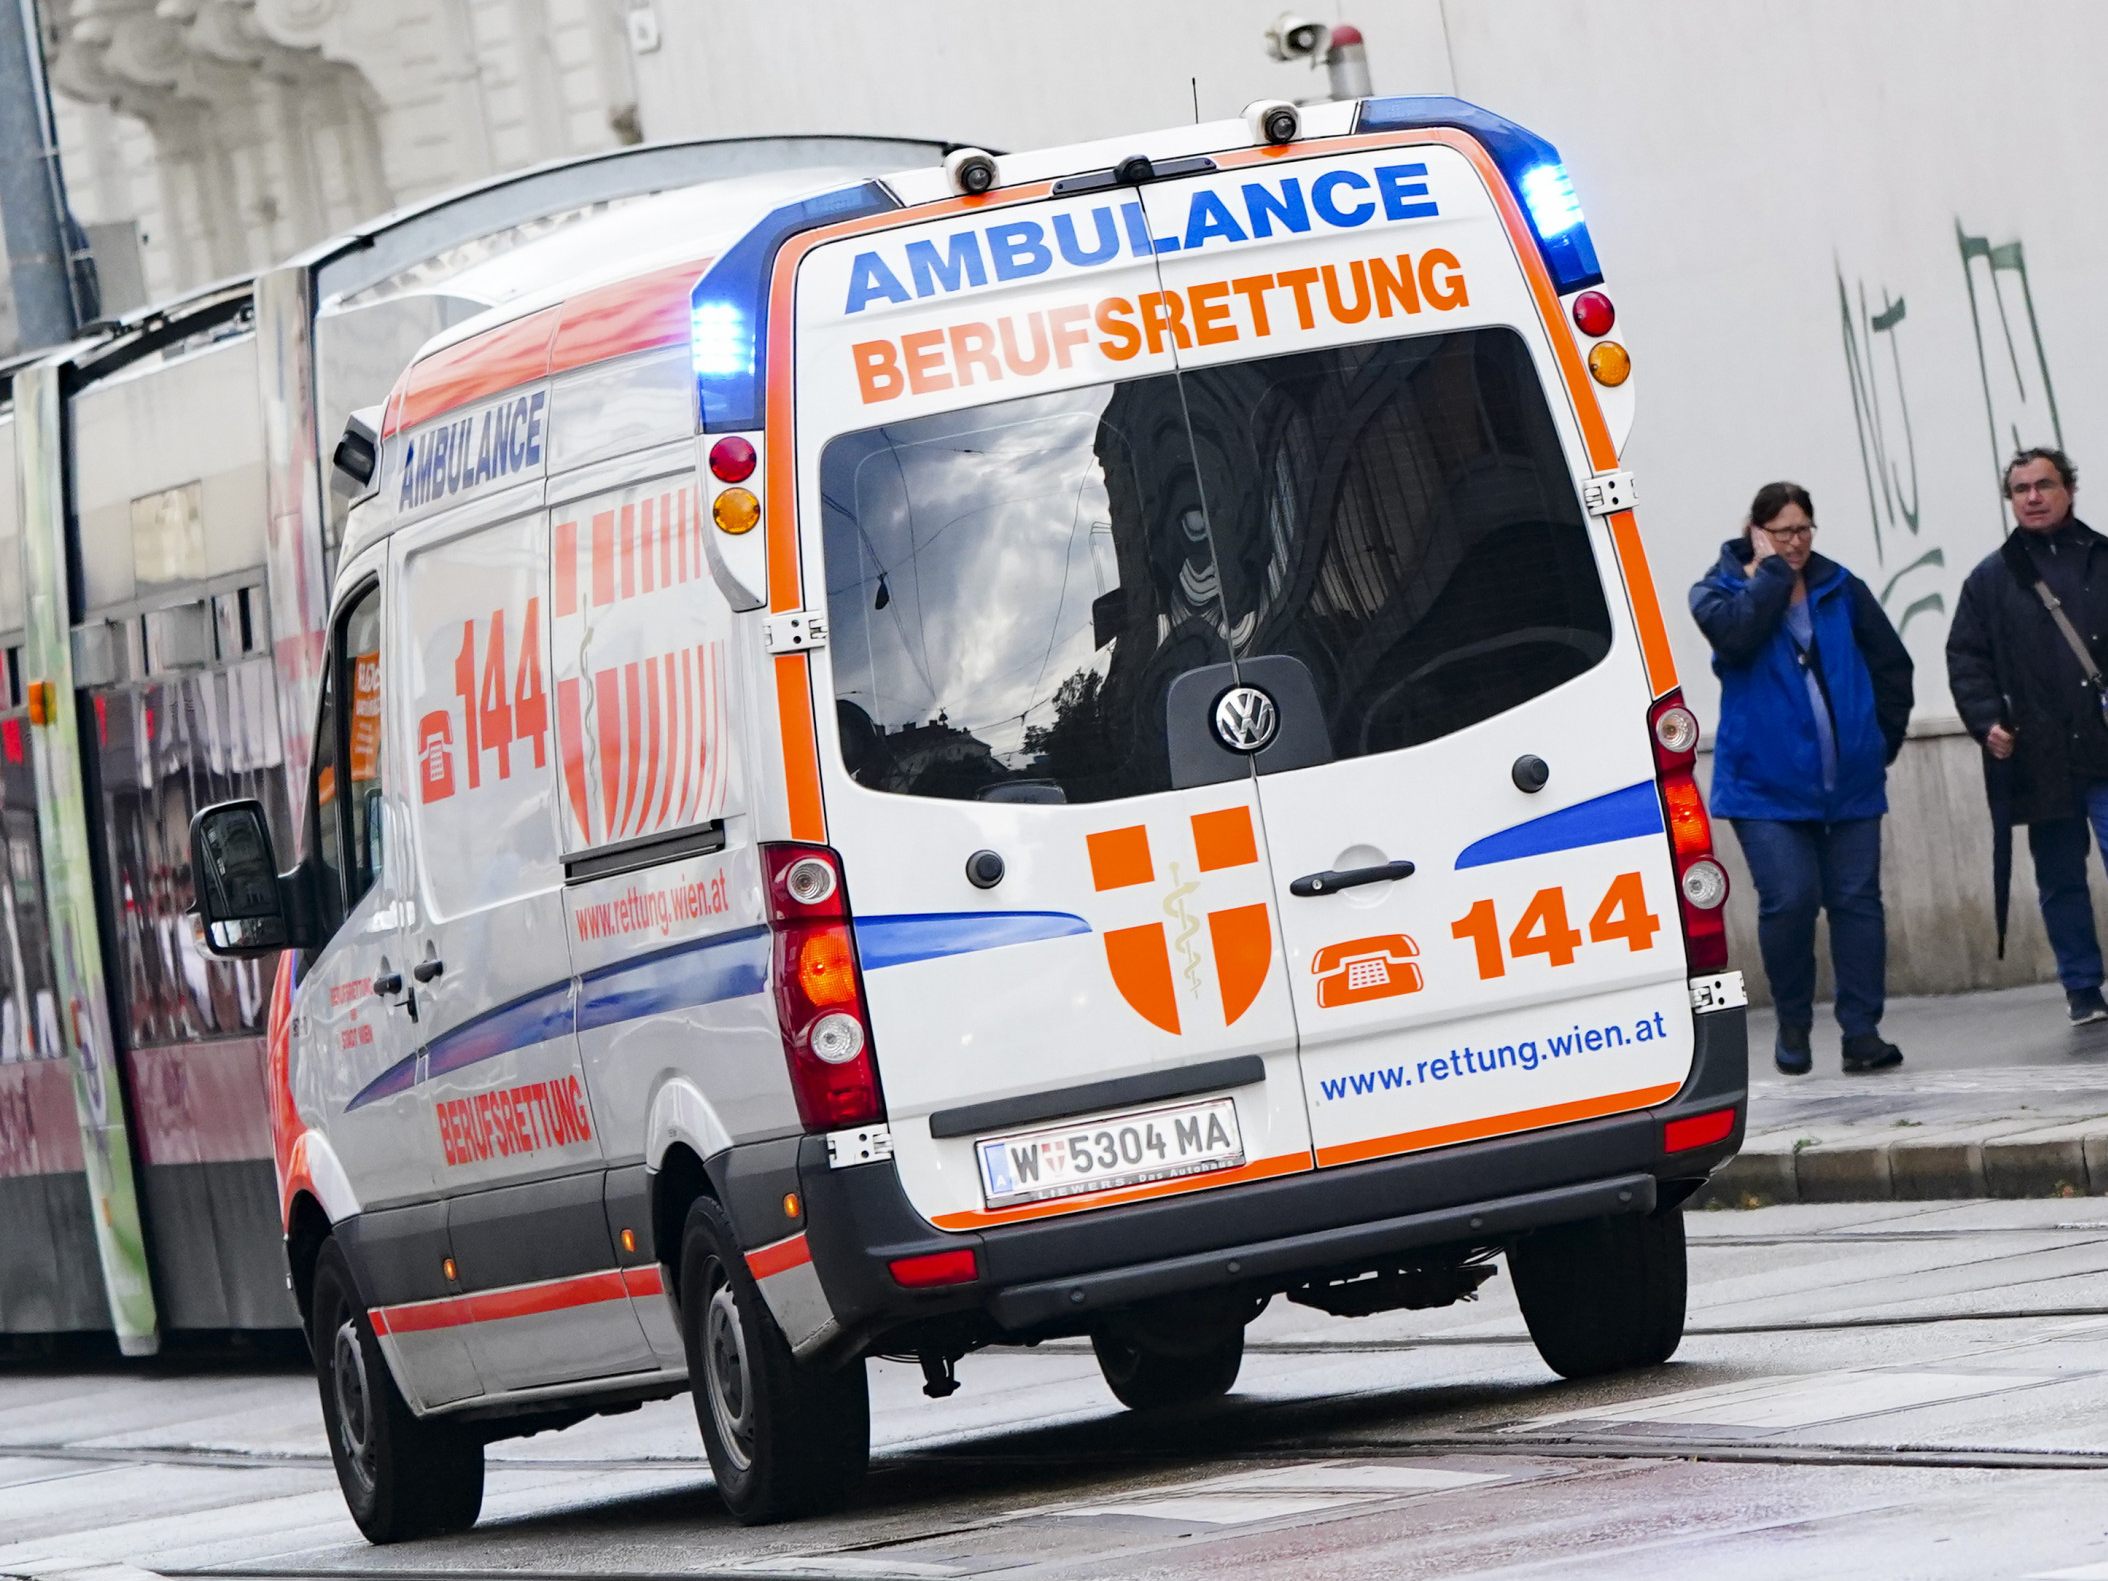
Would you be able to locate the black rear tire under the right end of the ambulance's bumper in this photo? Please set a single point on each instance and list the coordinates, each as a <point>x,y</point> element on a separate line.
<point>1603,1295</point>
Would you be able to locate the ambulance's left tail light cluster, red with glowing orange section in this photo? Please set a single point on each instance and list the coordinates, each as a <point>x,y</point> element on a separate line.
<point>819,990</point>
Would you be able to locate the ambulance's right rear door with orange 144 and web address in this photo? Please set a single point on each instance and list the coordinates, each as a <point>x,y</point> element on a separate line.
<point>1424,617</point>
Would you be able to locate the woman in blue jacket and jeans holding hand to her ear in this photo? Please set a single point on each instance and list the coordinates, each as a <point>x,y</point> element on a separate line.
<point>1814,703</point>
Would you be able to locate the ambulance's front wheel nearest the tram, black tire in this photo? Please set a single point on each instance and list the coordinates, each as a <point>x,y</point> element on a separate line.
<point>402,1477</point>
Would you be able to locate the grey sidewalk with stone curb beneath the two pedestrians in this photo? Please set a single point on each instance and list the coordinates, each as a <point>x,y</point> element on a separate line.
<point>1997,1097</point>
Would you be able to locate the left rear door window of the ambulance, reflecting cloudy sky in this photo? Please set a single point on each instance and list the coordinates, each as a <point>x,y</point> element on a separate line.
<point>1013,591</point>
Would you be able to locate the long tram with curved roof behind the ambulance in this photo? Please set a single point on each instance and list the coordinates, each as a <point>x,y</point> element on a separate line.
<point>168,541</point>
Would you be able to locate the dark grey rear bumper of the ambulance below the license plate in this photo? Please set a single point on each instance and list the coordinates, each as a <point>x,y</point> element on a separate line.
<point>1063,1274</point>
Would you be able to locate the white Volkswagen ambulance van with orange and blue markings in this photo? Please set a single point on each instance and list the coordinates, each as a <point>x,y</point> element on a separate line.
<point>1053,745</point>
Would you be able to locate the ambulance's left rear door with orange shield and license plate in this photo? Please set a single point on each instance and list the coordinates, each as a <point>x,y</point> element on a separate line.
<point>1068,939</point>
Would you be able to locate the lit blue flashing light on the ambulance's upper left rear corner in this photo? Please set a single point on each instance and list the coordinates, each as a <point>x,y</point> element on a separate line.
<point>730,307</point>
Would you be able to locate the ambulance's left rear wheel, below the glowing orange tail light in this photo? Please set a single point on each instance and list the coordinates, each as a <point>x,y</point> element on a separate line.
<point>783,1439</point>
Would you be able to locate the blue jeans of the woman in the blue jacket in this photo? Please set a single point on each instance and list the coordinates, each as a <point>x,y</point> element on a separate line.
<point>1808,867</point>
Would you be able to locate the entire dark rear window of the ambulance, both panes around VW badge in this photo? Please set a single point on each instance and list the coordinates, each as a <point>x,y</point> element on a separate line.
<point>1013,589</point>
